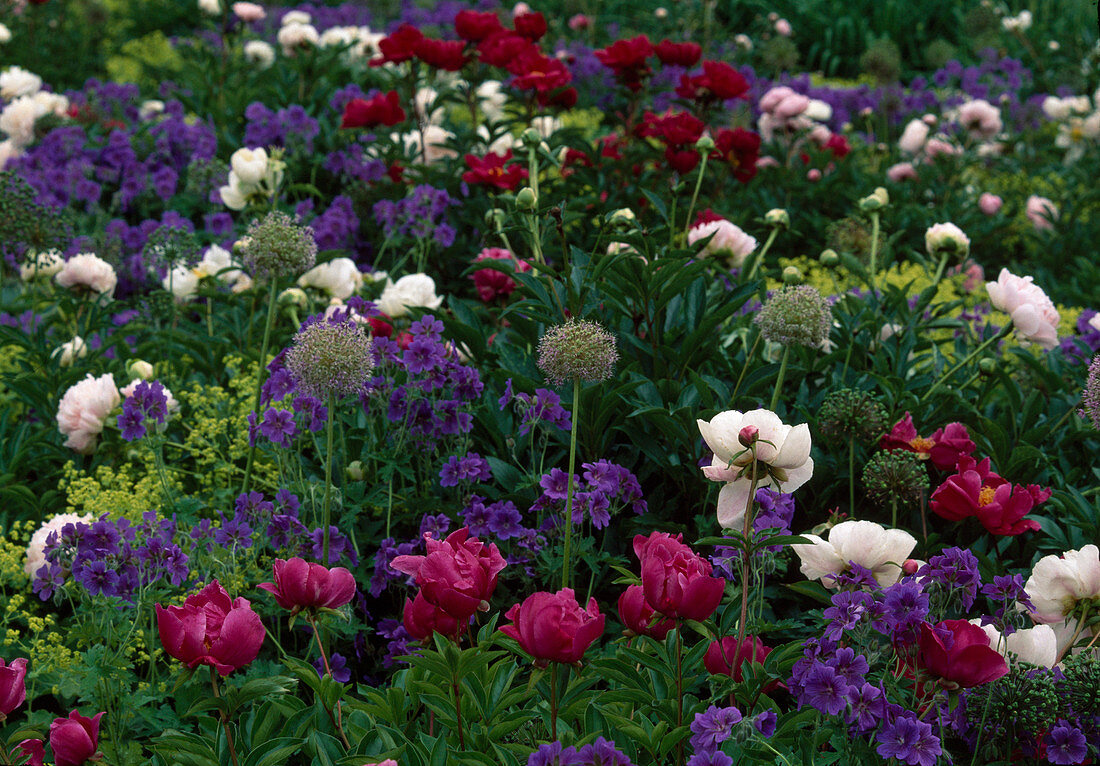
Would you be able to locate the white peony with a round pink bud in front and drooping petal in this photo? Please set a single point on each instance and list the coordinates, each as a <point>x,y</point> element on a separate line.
<point>783,458</point>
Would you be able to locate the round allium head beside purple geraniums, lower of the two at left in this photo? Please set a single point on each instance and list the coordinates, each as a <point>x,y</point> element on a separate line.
<point>331,358</point>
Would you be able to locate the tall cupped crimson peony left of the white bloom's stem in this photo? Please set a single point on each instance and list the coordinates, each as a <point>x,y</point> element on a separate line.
<point>676,581</point>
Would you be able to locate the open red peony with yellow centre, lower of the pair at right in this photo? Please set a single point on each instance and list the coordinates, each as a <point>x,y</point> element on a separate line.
<point>977,491</point>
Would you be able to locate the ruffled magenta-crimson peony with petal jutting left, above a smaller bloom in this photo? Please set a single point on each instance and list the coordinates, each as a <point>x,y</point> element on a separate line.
<point>458,575</point>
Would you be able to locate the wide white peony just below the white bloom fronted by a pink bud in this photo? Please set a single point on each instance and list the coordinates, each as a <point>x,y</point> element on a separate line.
<point>867,544</point>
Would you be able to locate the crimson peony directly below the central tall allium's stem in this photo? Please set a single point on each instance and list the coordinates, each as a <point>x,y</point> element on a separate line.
<point>553,628</point>
